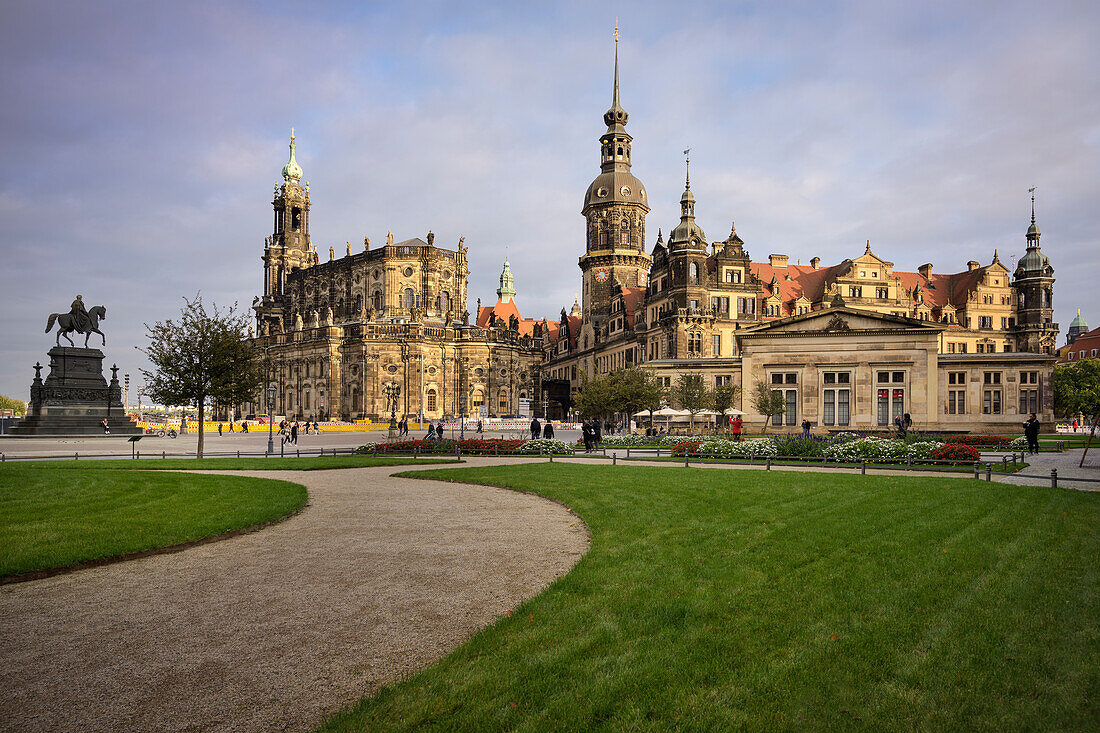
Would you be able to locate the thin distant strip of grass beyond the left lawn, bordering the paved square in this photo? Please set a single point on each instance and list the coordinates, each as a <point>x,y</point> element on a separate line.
<point>305,464</point>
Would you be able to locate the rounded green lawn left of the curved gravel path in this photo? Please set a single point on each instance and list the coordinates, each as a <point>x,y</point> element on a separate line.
<point>53,518</point>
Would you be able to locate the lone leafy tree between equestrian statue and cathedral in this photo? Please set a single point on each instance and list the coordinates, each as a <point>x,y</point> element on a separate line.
<point>204,357</point>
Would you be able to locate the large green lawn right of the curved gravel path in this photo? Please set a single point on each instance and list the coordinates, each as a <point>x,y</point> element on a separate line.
<point>724,600</point>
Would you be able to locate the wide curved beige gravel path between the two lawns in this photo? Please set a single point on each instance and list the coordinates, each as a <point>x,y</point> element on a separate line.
<point>377,578</point>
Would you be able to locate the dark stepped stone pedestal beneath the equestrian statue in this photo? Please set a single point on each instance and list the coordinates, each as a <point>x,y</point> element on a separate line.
<point>75,398</point>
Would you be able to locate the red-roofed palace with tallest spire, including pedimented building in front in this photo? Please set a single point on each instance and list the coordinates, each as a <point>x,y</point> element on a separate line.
<point>850,345</point>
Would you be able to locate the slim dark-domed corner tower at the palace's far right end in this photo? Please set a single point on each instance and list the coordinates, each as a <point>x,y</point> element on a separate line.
<point>1035,285</point>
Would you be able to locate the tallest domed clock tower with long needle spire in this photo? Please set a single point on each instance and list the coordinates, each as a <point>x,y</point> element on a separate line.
<point>615,210</point>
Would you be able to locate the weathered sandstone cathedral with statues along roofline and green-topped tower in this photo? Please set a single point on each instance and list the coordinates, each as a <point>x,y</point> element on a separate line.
<point>383,332</point>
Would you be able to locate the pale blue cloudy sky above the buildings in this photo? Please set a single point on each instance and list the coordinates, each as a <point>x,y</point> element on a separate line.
<point>141,141</point>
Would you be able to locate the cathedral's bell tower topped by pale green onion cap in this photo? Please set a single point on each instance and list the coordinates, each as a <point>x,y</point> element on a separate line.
<point>289,248</point>
